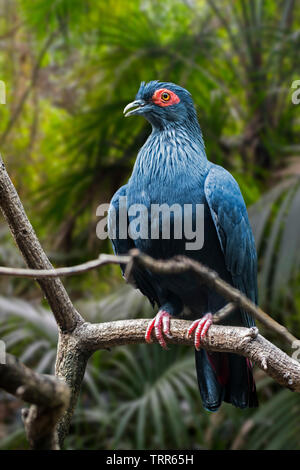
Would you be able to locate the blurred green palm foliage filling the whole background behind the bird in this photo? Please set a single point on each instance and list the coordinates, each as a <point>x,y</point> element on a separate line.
<point>71,67</point>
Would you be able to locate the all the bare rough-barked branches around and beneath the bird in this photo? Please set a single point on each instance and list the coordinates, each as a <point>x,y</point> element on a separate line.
<point>79,339</point>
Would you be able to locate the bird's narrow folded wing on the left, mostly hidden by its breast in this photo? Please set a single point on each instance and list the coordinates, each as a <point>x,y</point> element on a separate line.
<point>122,245</point>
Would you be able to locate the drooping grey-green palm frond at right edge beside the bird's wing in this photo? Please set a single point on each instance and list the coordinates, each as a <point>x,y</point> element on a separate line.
<point>276,229</point>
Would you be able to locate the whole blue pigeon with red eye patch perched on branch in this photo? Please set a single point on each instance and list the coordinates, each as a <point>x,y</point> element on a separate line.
<point>172,168</point>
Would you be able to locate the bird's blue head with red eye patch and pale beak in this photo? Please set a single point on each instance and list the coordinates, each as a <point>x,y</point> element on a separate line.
<point>163,104</point>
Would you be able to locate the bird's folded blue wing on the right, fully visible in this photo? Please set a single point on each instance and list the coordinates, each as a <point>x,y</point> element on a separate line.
<point>230,217</point>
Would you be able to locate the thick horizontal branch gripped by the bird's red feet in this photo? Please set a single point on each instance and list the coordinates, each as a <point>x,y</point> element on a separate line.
<point>244,341</point>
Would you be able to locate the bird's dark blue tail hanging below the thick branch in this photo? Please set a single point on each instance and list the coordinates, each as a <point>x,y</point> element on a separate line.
<point>225,377</point>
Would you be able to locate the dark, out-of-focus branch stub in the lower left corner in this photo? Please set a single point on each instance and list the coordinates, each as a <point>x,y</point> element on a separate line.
<point>49,396</point>
